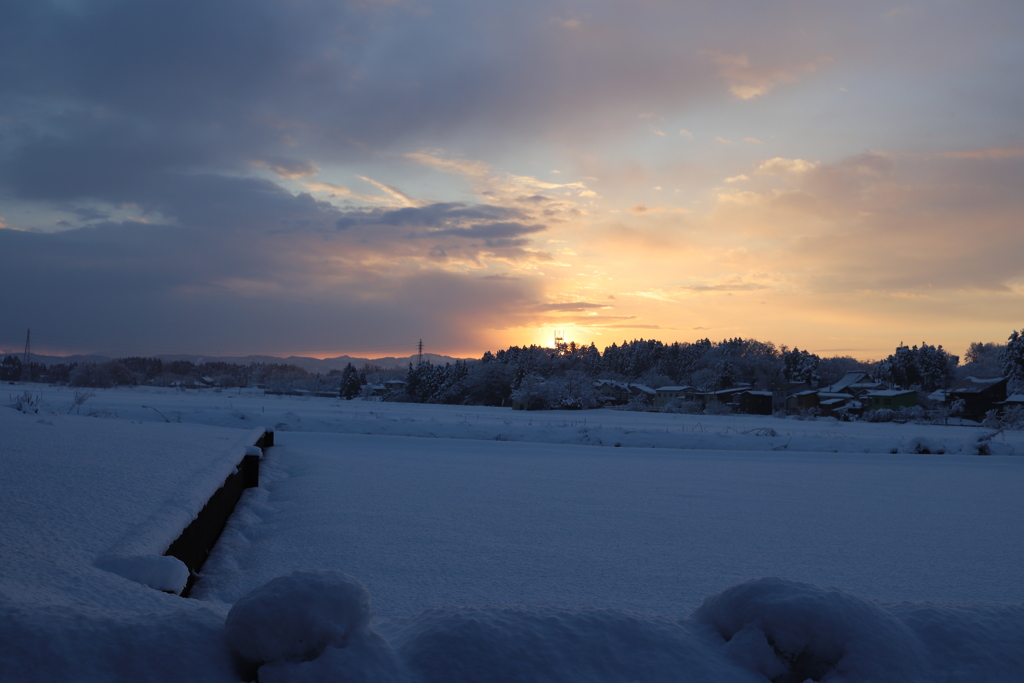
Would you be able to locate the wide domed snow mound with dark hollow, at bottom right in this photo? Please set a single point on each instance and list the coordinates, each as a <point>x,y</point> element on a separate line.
<point>790,632</point>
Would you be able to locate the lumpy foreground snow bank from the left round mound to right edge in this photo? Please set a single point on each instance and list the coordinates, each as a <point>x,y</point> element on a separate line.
<point>316,626</point>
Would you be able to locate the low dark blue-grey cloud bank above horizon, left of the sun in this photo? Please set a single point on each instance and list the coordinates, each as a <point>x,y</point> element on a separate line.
<point>129,289</point>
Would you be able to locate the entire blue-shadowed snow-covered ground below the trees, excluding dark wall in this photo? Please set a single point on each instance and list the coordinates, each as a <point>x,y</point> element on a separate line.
<point>495,545</point>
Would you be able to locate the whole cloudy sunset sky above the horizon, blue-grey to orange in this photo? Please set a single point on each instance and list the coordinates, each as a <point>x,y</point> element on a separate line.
<point>321,178</point>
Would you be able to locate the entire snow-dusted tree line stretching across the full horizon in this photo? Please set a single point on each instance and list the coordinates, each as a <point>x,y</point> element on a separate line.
<point>561,377</point>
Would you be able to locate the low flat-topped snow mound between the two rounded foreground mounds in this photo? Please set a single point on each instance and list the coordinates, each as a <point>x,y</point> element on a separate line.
<point>552,646</point>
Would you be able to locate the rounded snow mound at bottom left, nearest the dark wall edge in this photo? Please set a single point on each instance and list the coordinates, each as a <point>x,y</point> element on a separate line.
<point>309,626</point>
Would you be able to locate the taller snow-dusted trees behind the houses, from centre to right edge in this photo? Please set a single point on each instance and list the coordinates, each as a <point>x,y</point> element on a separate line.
<point>564,377</point>
